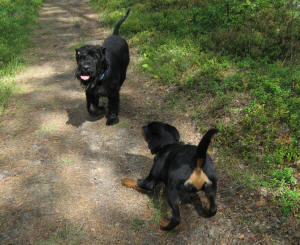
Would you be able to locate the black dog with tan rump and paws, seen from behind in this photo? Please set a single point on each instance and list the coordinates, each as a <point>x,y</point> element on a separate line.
<point>182,168</point>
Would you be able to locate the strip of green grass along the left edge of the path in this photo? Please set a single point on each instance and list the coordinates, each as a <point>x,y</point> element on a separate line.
<point>16,21</point>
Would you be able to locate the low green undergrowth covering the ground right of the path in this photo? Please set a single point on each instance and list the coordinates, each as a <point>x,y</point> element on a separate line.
<point>235,64</point>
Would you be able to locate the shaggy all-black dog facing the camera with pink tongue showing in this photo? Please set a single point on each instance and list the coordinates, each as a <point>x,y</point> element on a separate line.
<point>102,71</point>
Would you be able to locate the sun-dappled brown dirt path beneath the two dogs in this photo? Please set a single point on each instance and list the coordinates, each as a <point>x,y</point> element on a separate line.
<point>60,170</point>
